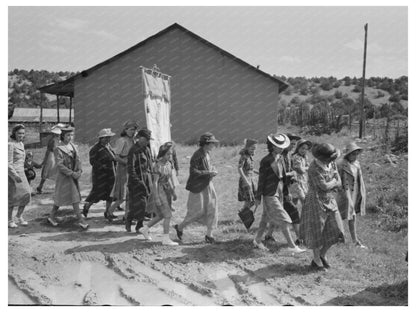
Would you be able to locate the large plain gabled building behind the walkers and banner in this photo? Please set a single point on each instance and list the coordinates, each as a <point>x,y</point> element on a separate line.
<point>211,90</point>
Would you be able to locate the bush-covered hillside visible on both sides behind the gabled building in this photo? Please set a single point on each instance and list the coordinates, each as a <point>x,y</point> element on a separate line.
<point>385,94</point>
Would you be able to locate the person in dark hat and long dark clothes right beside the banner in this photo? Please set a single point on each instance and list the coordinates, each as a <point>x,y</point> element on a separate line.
<point>139,169</point>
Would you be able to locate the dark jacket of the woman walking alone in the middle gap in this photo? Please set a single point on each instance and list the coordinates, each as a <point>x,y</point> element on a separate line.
<point>199,172</point>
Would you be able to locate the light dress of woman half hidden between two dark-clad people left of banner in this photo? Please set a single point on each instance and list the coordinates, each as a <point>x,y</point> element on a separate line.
<point>121,148</point>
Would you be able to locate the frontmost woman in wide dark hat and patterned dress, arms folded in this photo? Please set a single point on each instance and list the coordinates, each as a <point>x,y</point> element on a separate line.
<point>321,224</point>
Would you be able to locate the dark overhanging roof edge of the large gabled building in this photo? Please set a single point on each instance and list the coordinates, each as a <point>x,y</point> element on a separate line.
<point>66,87</point>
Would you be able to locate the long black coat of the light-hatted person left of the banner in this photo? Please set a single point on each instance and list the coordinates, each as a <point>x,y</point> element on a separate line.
<point>103,173</point>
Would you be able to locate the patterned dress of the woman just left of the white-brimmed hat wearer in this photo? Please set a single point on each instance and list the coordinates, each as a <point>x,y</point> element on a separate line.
<point>246,192</point>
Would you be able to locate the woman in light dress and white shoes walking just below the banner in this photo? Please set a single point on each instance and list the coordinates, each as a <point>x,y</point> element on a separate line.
<point>163,193</point>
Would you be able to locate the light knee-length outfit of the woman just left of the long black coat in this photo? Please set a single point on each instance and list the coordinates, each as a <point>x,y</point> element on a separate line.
<point>66,187</point>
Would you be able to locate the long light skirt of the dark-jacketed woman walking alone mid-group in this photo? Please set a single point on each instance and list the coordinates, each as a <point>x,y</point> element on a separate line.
<point>202,207</point>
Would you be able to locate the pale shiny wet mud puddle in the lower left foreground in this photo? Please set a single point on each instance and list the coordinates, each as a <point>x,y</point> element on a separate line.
<point>91,283</point>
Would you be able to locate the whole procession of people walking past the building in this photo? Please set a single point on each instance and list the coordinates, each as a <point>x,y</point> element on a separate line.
<point>310,197</point>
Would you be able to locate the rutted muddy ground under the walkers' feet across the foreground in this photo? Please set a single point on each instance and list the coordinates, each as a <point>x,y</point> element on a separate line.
<point>108,266</point>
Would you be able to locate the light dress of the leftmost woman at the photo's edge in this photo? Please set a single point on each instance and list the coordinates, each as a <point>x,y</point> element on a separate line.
<point>19,193</point>
